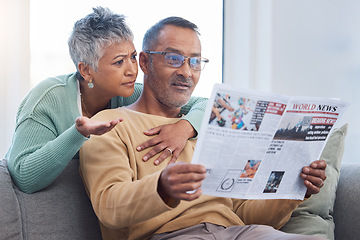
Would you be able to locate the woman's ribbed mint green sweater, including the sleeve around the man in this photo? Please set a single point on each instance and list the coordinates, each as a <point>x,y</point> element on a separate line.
<point>46,139</point>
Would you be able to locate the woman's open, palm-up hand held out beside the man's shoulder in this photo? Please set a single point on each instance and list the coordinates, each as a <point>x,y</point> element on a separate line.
<point>87,126</point>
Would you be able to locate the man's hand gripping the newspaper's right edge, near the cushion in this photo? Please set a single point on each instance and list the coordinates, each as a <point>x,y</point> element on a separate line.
<point>314,177</point>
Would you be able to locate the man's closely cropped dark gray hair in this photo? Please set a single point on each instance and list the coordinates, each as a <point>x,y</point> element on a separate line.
<point>151,36</point>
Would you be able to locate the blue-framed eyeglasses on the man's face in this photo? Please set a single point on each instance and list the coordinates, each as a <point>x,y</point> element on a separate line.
<point>177,60</point>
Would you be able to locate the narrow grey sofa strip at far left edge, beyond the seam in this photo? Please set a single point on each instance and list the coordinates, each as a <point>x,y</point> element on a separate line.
<point>10,218</point>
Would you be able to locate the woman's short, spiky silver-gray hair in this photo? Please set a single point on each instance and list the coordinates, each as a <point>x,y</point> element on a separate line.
<point>93,33</point>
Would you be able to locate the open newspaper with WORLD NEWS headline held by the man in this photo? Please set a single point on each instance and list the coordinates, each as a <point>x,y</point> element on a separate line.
<point>254,145</point>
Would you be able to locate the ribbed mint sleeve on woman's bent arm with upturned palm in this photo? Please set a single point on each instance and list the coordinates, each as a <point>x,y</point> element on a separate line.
<point>37,156</point>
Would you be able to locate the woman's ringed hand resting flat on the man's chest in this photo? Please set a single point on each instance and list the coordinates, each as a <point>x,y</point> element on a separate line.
<point>171,140</point>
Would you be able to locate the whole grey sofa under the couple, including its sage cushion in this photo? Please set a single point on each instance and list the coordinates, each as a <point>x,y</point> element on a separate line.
<point>63,210</point>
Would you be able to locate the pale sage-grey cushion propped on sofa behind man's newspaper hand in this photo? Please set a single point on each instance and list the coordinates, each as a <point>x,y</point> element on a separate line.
<point>315,215</point>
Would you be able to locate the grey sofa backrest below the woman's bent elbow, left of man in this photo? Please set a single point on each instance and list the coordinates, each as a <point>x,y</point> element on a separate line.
<point>60,211</point>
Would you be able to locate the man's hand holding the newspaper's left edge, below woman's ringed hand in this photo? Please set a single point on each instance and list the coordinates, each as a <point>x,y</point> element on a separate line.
<point>178,179</point>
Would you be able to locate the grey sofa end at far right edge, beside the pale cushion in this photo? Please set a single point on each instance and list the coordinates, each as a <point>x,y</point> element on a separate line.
<point>347,204</point>
